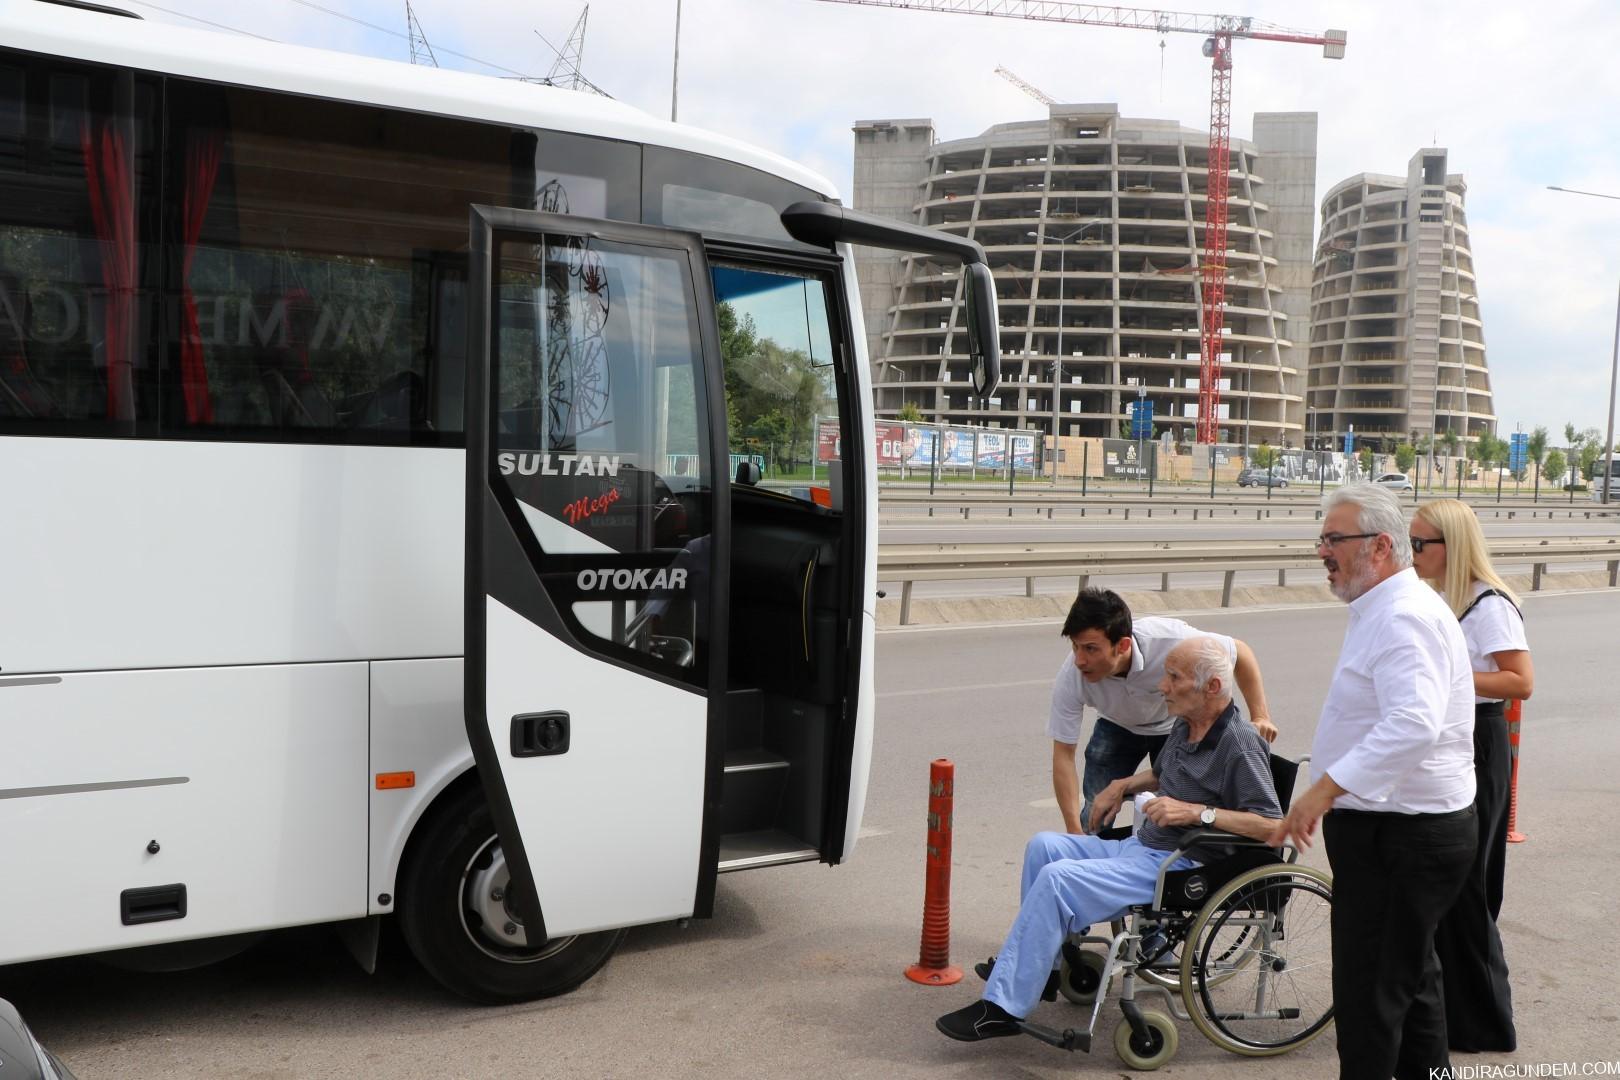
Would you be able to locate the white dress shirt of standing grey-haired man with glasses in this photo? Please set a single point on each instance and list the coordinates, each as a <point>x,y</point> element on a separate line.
<point>1397,729</point>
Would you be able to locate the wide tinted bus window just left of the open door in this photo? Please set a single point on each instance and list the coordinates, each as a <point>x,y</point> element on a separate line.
<point>317,266</point>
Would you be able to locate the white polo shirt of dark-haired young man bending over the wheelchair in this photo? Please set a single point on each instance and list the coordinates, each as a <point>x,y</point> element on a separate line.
<point>1132,700</point>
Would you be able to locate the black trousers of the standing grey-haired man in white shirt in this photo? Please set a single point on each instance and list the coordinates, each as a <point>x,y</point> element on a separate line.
<point>1394,878</point>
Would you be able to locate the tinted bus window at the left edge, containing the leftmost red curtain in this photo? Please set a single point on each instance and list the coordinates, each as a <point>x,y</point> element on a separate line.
<point>79,253</point>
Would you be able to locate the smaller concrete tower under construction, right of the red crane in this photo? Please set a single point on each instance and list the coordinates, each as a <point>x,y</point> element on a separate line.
<point>1397,346</point>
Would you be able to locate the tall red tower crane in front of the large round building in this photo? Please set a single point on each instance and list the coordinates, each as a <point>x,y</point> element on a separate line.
<point>1219,30</point>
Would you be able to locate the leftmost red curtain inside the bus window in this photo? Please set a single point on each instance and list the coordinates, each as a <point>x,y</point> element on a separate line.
<point>113,210</point>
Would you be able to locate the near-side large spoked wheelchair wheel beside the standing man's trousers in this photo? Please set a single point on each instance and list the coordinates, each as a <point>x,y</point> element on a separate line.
<point>1258,972</point>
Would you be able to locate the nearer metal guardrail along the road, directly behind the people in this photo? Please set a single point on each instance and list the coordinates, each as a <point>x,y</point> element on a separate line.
<point>910,564</point>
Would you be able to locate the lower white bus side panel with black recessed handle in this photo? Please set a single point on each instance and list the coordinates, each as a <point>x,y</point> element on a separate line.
<point>244,784</point>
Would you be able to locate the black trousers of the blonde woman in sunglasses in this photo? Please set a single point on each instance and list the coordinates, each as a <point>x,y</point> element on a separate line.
<point>1478,1000</point>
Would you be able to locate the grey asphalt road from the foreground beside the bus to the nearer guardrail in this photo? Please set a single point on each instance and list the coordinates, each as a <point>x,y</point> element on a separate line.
<point>799,972</point>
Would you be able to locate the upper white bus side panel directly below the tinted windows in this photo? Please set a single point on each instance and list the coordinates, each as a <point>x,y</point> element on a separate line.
<point>143,555</point>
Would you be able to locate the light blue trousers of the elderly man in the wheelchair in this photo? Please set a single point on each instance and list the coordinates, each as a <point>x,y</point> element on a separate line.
<point>1070,883</point>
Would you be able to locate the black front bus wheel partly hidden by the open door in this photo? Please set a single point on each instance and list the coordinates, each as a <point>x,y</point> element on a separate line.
<point>456,919</point>
